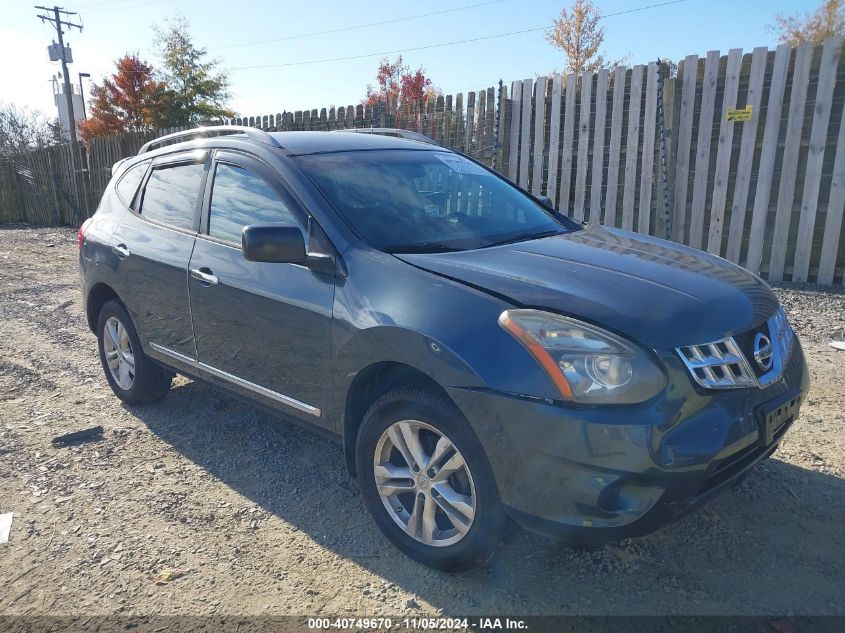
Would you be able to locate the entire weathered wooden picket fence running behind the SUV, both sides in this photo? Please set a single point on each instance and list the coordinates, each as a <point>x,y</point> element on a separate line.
<point>741,154</point>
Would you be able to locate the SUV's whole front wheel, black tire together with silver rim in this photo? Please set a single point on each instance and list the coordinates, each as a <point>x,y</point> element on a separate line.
<point>467,522</point>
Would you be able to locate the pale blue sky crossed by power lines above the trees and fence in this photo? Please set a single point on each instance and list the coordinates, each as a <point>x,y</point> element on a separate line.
<point>294,76</point>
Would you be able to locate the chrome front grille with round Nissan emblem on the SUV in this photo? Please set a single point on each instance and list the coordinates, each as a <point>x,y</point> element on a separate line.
<point>732,362</point>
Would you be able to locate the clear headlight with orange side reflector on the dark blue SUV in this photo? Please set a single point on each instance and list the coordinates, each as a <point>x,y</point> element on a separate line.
<point>585,363</point>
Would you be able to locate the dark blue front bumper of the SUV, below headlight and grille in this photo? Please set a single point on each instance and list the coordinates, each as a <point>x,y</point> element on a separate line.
<point>597,474</point>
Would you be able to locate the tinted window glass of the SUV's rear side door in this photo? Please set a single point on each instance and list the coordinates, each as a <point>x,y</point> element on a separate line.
<point>171,194</point>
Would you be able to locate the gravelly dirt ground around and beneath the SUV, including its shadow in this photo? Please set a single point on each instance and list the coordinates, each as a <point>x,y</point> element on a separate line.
<point>262,518</point>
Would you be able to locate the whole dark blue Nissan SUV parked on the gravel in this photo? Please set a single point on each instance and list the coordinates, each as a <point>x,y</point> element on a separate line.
<point>483,358</point>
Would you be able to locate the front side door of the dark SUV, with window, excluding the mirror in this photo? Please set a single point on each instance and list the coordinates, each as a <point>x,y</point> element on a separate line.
<point>263,328</point>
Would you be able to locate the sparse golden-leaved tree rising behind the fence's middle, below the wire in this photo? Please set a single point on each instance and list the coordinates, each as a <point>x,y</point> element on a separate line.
<point>578,33</point>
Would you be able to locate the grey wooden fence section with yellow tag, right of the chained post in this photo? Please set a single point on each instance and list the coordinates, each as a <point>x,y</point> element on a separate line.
<point>767,193</point>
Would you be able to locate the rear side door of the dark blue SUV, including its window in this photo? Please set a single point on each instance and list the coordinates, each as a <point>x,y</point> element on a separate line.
<point>153,246</point>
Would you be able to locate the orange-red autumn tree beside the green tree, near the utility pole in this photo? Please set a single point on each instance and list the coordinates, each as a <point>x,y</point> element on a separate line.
<point>131,100</point>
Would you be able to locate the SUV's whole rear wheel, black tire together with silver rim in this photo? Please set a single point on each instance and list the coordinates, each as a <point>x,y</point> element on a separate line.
<point>131,374</point>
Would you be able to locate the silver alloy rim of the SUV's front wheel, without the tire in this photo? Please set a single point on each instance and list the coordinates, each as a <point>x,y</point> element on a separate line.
<point>424,483</point>
